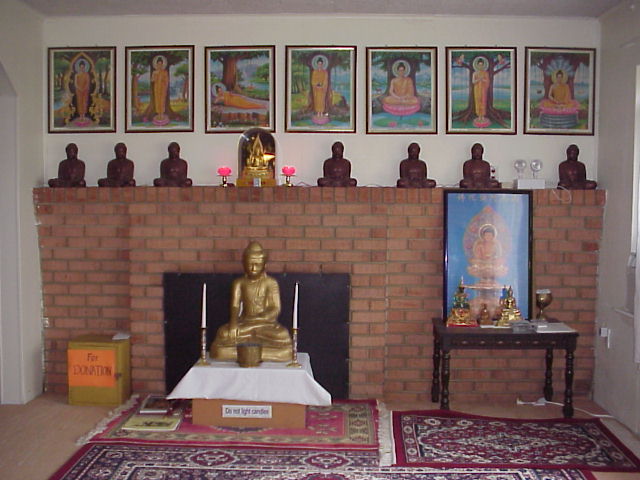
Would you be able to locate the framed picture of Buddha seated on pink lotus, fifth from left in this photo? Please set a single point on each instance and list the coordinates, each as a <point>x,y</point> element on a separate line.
<point>402,90</point>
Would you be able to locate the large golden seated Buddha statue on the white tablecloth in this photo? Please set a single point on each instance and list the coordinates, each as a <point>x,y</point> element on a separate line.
<point>255,306</point>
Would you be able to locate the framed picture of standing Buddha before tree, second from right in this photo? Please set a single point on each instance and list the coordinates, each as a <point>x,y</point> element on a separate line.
<point>481,90</point>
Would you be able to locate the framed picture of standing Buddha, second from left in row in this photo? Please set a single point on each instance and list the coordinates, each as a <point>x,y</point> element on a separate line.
<point>159,71</point>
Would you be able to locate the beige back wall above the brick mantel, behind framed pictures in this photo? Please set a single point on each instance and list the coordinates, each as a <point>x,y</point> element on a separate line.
<point>375,158</point>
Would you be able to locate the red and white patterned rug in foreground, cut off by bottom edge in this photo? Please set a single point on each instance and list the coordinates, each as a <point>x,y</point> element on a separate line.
<point>122,461</point>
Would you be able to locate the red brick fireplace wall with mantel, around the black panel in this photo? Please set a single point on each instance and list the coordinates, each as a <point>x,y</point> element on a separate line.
<point>103,252</point>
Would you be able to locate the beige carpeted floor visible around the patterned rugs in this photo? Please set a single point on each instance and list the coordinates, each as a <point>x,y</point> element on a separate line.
<point>38,437</point>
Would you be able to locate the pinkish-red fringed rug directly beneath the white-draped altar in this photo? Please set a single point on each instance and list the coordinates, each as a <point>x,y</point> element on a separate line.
<point>349,424</point>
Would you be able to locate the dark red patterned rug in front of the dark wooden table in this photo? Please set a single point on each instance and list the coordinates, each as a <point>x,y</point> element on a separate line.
<point>449,439</point>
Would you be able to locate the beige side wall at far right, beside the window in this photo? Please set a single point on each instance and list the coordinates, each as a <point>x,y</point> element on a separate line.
<point>617,381</point>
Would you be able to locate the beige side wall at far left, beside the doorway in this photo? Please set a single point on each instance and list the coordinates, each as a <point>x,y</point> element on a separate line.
<point>21,43</point>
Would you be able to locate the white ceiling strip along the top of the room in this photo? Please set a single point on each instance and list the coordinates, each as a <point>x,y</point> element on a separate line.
<point>556,8</point>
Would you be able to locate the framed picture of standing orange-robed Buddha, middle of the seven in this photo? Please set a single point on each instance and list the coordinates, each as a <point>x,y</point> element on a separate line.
<point>320,89</point>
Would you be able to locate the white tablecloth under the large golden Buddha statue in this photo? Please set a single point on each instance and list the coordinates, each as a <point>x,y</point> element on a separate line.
<point>269,382</point>
